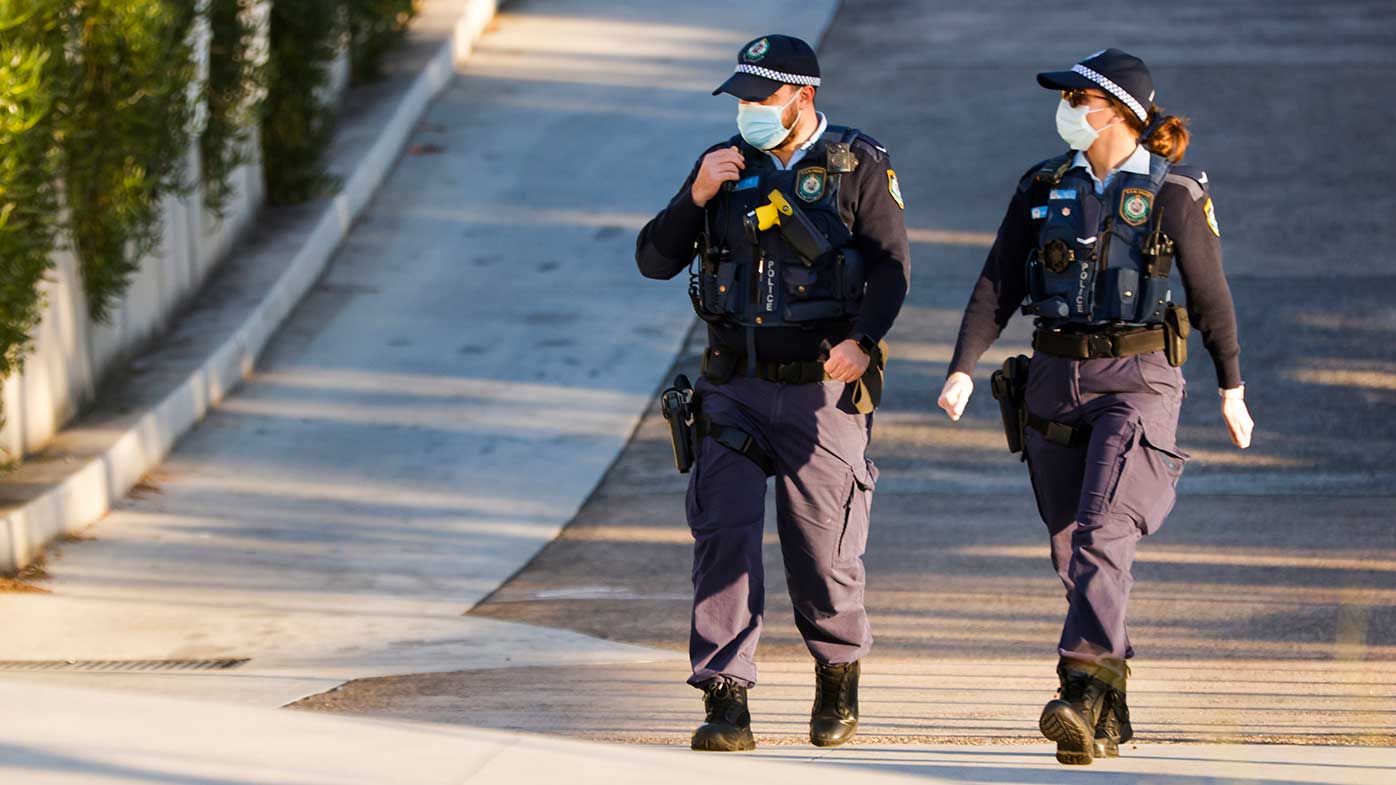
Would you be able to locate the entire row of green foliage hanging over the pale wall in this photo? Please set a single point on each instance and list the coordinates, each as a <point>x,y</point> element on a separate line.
<point>101,111</point>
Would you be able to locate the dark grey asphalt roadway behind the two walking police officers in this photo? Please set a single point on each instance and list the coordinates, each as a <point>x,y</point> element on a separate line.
<point>1265,610</point>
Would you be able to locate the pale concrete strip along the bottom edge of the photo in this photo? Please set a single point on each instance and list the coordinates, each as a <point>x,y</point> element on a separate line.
<point>96,738</point>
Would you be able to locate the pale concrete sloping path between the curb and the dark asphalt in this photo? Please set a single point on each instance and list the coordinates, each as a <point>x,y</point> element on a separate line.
<point>440,404</point>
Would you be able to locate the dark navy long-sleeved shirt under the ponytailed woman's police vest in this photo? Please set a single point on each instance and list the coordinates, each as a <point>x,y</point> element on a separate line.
<point>1189,219</point>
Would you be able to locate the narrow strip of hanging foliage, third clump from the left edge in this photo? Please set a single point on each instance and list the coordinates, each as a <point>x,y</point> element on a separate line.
<point>234,86</point>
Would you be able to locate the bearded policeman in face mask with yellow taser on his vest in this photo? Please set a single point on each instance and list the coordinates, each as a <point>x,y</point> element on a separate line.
<point>805,266</point>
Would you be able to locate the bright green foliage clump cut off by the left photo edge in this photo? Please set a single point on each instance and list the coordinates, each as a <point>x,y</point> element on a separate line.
<point>31,59</point>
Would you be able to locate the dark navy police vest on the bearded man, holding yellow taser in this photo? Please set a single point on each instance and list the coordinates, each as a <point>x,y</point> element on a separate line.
<point>757,279</point>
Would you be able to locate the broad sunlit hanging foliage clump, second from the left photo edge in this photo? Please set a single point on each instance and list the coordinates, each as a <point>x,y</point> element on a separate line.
<point>125,133</point>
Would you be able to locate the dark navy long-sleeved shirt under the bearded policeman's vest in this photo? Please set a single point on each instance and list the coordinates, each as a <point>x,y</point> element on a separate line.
<point>667,245</point>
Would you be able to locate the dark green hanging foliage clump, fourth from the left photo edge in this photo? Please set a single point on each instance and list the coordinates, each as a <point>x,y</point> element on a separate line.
<point>298,121</point>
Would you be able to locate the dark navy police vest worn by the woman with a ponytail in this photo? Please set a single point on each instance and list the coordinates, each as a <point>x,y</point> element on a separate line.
<point>1101,261</point>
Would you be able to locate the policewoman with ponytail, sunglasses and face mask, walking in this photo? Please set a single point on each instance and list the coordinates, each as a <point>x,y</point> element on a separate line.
<point>1087,248</point>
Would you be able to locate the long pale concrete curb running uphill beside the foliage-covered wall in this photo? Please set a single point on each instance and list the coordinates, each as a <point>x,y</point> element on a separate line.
<point>90,492</point>
